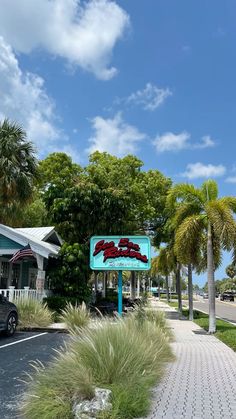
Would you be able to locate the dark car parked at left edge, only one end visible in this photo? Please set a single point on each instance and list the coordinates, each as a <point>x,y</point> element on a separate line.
<point>8,316</point>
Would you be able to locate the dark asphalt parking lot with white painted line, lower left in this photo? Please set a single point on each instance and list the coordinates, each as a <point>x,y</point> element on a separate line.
<point>15,355</point>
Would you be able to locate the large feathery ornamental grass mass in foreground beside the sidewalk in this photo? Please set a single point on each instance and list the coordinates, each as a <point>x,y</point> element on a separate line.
<point>125,356</point>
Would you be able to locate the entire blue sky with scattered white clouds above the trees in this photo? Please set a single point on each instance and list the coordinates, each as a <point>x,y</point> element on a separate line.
<point>148,77</point>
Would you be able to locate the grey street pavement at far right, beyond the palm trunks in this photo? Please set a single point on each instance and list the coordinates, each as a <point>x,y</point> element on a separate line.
<point>225,310</point>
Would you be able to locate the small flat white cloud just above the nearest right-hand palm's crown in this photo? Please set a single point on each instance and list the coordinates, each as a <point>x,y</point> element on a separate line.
<point>200,170</point>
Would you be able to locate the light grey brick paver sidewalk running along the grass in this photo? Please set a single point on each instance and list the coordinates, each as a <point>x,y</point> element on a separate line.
<point>201,383</point>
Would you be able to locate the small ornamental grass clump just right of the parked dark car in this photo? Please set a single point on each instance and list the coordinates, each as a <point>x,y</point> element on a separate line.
<point>33,313</point>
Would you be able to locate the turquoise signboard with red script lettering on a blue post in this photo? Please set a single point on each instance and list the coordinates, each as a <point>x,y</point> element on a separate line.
<point>124,253</point>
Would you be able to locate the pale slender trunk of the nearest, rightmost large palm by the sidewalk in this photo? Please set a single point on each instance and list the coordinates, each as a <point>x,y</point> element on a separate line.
<point>211,282</point>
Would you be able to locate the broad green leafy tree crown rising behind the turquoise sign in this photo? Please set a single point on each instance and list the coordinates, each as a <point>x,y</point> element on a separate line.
<point>110,196</point>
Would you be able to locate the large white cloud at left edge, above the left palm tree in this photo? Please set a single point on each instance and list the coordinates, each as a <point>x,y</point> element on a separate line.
<point>23,98</point>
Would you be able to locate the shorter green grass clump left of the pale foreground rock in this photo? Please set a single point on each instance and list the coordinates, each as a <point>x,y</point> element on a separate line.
<point>52,391</point>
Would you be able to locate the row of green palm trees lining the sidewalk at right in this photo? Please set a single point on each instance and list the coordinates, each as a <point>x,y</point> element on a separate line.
<point>202,225</point>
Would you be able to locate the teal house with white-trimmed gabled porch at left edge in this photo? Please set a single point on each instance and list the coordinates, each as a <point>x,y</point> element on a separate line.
<point>30,270</point>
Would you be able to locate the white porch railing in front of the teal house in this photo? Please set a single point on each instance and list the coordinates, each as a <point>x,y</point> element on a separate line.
<point>17,294</point>
